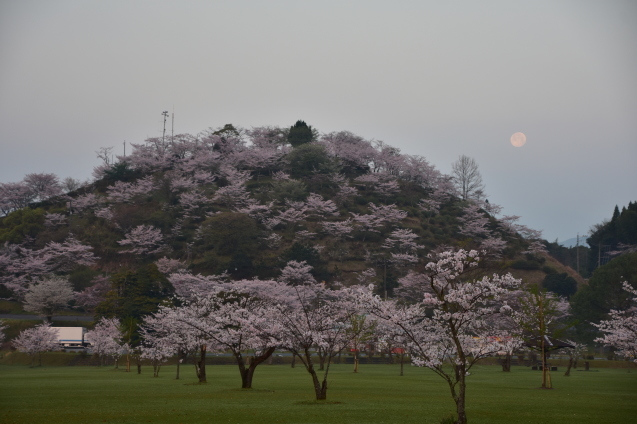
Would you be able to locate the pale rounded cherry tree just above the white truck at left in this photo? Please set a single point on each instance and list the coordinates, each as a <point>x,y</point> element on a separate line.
<point>48,295</point>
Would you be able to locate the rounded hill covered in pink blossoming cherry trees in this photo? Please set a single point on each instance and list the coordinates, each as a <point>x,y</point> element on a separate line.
<point>241,204</point>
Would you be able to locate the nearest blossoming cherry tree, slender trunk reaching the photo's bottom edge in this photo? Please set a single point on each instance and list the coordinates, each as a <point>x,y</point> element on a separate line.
<point>458,332</point>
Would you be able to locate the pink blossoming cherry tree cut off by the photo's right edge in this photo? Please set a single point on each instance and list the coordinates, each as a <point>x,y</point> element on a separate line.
<point>621,328</point>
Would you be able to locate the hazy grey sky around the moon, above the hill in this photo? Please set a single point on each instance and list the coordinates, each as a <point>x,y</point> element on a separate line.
<point>437,79</point>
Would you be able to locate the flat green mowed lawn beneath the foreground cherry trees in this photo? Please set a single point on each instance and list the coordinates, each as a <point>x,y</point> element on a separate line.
<point>377,394</point>
